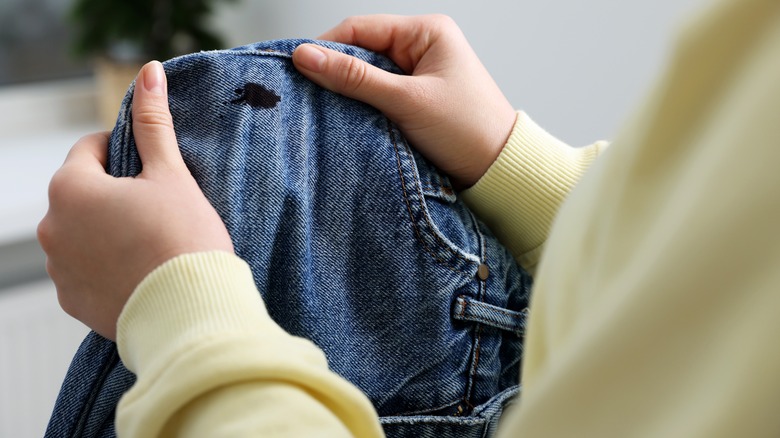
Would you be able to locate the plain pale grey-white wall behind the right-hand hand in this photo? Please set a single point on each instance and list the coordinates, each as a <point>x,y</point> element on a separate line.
<point>577,66</point>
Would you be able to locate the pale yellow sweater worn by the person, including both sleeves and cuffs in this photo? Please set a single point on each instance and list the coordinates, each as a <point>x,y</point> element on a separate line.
<point>655,304</point>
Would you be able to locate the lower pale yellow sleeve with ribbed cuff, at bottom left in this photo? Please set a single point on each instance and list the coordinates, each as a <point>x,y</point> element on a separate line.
<point>205,350</point>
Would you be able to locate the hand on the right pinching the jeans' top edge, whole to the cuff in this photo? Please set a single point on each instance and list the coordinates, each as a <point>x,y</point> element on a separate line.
<point>448,106</point>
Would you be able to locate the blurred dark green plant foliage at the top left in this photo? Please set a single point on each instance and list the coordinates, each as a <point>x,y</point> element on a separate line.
<point>143,29</point>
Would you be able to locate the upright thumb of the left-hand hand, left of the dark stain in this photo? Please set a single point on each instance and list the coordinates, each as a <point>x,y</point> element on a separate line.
<point>152,121</point>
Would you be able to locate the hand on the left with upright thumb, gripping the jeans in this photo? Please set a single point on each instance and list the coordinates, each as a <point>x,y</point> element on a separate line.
<point>102,235</point>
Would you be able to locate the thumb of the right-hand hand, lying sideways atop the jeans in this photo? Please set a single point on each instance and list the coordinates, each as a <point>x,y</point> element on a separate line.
<point>349,76</point>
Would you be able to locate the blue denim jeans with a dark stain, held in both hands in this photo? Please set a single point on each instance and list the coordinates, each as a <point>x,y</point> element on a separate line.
<point>355,242</point>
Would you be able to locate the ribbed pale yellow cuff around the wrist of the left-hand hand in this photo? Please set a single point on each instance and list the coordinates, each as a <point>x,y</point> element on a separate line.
<point>188,298</point>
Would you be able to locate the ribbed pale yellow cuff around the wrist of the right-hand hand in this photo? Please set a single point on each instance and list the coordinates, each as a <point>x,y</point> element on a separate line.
<point>520,194</point>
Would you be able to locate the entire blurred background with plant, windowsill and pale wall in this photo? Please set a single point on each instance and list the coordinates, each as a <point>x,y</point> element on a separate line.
<point>578,67</point>
